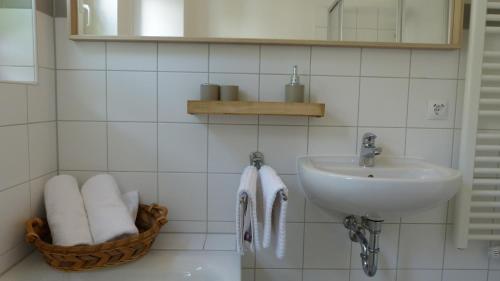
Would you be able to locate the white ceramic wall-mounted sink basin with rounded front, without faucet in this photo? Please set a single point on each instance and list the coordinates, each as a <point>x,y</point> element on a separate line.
<point>394,187</point>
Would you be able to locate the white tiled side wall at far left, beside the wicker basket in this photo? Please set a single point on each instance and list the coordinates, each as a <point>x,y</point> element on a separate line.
<point>28,147</point>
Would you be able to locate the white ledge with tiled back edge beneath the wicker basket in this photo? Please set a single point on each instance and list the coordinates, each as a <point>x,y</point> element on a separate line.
<point>173,255</point>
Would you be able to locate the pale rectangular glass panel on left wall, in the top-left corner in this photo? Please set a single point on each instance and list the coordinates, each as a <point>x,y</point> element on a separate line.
<point>18,62</point>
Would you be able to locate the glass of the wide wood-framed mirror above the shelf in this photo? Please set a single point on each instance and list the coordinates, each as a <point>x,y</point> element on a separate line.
<point>406,21</point>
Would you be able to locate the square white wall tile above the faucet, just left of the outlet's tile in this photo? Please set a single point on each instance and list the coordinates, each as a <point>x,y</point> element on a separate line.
<point>383,102</point>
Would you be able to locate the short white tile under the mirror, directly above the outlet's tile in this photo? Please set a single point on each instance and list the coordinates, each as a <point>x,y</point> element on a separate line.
<point>434,64</point>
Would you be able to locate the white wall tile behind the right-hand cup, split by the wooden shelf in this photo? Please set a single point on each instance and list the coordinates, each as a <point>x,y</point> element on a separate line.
<point>249,91</point>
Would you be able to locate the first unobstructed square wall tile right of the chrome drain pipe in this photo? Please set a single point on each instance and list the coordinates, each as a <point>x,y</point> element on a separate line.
<point>421,246</point>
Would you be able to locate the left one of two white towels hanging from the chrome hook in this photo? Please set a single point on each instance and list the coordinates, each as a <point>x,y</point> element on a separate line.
<point>247,233</point>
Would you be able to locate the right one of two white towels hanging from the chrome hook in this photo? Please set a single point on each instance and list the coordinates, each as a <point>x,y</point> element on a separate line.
<point>274,210</point>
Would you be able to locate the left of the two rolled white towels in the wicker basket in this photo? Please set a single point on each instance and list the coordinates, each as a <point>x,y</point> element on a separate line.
<point>66,212</point>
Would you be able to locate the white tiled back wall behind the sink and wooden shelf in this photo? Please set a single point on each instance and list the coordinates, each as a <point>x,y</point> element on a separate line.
<point>122,109</point>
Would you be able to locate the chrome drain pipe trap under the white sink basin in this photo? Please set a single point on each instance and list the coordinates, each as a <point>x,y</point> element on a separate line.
<point>357,227</point>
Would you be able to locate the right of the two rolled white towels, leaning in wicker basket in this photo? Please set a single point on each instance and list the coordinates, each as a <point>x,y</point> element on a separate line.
<point>108,215</point>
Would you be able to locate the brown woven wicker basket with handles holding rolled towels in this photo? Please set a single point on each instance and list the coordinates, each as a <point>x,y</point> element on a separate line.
<point>83,258</point>
